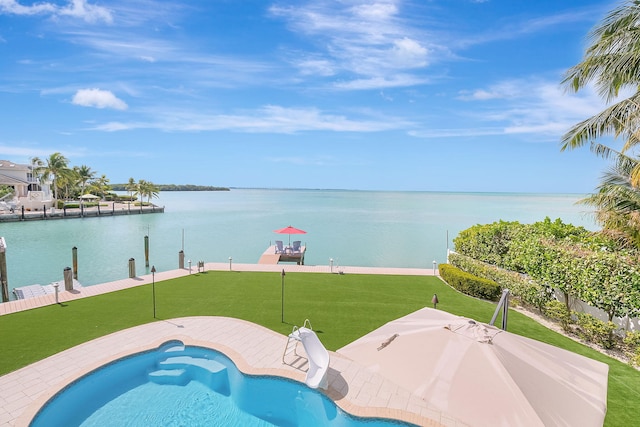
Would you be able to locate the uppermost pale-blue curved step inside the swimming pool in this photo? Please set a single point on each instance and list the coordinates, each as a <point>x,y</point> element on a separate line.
<point>206,371</point>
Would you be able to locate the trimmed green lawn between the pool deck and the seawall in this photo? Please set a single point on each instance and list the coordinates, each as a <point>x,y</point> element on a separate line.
<point>341,309</point>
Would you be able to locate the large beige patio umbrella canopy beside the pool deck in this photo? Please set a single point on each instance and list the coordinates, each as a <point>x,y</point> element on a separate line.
<point>484,376</point>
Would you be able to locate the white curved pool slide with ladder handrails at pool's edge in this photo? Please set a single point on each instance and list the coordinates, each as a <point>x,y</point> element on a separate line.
<point>317,354</point>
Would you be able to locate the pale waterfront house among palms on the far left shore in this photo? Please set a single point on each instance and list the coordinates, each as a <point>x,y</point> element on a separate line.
<point>28,191</point>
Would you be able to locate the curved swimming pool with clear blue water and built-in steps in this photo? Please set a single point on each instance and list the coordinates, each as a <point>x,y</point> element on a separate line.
<point>178,385</point>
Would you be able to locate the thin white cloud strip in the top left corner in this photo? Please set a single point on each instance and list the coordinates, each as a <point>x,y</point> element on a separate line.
<point>75,8</point>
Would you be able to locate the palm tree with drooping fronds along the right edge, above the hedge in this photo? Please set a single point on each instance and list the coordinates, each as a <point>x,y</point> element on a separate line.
<point>612,63</point>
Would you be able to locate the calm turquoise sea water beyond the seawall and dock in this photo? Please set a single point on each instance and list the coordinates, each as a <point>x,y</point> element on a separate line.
<point>361,228</point>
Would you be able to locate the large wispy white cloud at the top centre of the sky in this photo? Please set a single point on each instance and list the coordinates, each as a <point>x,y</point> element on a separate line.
<point>367,44</point>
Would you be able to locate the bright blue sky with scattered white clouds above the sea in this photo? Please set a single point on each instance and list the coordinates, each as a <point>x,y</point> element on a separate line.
<point>426,95</point>
